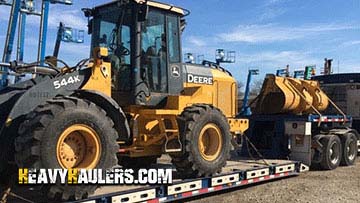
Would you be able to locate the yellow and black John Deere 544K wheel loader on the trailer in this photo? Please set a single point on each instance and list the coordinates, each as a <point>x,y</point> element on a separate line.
<point>134,101</point>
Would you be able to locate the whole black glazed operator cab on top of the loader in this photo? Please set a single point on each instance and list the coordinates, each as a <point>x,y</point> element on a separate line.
<point>143,42</point>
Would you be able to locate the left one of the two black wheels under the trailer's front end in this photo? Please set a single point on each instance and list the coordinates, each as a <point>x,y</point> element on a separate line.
<point>330,161</point>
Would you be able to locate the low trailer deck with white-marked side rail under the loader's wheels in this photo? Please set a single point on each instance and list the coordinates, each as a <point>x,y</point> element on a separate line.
<point>237,173</point>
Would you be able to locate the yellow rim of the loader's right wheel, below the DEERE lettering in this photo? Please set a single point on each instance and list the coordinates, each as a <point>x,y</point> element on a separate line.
<point>210,142</point>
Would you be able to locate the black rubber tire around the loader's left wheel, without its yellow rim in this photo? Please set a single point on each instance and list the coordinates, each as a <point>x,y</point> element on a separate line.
<point>40,133</point>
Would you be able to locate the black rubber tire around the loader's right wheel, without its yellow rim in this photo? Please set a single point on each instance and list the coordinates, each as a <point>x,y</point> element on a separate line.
<point>190,163</point>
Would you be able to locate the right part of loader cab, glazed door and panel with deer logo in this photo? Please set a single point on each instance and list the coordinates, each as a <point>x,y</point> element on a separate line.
<point>161,70</point>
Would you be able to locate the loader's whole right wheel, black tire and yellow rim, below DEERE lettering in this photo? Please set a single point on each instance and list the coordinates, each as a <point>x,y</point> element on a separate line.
<point>207,142</point>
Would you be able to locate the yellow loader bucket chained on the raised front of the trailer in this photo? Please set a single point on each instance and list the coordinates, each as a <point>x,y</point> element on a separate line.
<point>290,95</point>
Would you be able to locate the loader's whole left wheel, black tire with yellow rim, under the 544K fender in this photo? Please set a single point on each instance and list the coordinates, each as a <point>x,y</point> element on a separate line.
<point>54,135</point>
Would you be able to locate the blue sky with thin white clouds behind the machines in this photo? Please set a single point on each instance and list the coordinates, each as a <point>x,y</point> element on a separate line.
<point>266,34</point>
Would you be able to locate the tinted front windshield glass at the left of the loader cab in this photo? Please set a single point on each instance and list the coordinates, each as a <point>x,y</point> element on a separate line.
<point>112,29</point>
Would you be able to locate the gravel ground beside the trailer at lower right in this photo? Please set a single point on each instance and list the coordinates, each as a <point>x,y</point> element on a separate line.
<point>341,185</point>
